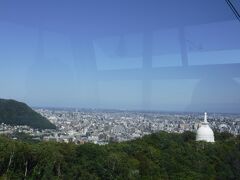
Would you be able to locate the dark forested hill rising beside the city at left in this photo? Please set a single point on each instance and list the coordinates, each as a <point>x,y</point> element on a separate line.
<point>17,113</point>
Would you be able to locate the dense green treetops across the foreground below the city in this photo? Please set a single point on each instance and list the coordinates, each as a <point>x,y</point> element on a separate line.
<point>157,156</point>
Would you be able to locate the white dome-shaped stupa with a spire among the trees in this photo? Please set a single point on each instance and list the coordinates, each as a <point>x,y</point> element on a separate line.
<point>205,133</point>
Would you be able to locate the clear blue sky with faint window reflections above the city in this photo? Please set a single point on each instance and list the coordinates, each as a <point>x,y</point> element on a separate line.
<point>121,54</point>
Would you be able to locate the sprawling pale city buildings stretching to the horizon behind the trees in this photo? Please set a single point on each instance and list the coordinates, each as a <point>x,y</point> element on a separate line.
<point>103,126</point>
